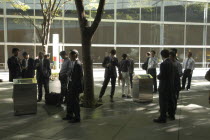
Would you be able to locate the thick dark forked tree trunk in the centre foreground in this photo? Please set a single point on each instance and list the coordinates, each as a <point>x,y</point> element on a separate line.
<point>87,33</point>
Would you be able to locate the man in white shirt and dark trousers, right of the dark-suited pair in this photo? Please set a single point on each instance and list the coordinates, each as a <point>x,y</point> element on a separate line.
<point>188,65</point>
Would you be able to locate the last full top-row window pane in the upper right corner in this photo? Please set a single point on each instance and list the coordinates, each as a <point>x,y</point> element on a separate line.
<point>195,12</point>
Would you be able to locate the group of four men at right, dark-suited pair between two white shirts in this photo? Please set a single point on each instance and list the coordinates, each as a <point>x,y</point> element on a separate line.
<point>169,81</point>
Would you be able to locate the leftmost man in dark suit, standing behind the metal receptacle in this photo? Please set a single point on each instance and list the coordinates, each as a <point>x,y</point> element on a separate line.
<point>14,65</point>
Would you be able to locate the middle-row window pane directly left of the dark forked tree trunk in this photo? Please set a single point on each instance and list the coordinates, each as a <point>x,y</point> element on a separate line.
<point>72,32</point>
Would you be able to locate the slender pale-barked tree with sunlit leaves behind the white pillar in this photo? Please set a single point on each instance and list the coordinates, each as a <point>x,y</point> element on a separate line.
<point>50,9</point>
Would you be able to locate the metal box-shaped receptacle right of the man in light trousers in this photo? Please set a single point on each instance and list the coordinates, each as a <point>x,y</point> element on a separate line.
<point>142,88</point>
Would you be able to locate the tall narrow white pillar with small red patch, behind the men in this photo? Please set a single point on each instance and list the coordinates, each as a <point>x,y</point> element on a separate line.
<point>56,50</point>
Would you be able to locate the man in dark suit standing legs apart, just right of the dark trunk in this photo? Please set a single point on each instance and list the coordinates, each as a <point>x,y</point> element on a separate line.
<point>110,63</point>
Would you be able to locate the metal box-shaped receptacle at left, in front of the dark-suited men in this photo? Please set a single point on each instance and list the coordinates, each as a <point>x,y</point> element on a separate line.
<point>25,96</point>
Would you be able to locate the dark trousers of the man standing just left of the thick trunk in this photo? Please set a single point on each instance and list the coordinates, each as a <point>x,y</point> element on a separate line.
<point>73,108</point>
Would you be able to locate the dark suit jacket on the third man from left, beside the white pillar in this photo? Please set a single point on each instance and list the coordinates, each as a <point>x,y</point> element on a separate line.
<point>44,71</point>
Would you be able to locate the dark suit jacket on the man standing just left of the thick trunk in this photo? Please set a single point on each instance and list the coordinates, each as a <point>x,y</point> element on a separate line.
<point>76,83</point>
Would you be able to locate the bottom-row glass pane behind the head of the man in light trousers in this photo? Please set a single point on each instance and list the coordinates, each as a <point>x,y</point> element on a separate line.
<point>131,51</point>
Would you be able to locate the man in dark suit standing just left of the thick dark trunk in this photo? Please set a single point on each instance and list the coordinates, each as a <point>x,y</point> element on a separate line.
<point>75,87</point>
